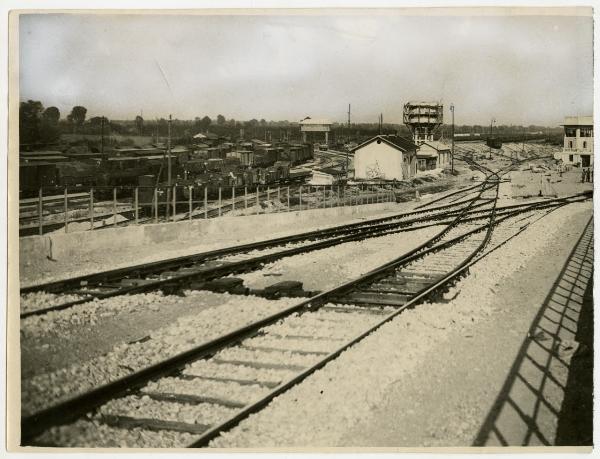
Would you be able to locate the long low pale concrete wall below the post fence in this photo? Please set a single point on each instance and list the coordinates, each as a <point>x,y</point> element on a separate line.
<point>63,245</point>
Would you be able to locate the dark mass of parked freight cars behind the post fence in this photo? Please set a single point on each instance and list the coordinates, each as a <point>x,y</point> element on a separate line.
<point>124,168</point>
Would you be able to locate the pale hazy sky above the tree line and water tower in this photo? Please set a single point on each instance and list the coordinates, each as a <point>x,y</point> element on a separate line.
<point>518,69</point>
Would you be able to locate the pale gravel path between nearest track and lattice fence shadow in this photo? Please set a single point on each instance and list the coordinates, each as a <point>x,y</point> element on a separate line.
<point>356,399</point>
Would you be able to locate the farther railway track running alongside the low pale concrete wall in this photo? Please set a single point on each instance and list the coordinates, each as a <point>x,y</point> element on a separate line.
<point>191,271</point>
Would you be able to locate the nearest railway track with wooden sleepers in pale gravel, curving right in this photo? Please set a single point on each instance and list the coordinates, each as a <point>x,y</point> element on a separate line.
<point>191,398</point>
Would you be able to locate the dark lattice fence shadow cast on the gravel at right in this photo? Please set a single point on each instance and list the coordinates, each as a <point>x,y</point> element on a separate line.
<point>529,407</point>
